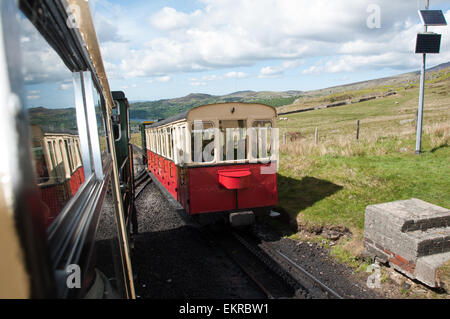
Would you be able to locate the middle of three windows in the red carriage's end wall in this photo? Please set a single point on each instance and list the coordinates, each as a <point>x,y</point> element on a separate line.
<point>233,139</point>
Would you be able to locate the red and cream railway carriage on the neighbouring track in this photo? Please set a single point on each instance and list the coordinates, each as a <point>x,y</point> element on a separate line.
<point>217,158</point>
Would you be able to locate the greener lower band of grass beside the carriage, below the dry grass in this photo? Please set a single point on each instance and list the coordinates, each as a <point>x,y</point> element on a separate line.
<point>335,190</point>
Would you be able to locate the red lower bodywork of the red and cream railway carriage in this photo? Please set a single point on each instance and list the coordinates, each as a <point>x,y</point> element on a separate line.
<point>215,188</point>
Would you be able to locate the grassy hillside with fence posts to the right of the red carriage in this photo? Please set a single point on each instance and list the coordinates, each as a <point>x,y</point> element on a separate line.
<point>331,183</point>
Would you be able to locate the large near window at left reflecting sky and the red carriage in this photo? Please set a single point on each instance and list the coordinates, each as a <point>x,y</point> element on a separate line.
<point>49,98</point>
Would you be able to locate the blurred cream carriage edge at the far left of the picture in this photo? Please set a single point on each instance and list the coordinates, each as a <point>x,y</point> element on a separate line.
<point>14,278</point>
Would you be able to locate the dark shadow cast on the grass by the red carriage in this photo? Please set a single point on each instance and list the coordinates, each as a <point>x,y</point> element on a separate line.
<point>296,195</point>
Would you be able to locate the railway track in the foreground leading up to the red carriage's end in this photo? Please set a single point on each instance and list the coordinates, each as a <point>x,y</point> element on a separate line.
<point>273,272</point>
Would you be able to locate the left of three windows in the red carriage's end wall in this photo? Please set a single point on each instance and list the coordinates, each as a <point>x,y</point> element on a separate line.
<point>202,142</point>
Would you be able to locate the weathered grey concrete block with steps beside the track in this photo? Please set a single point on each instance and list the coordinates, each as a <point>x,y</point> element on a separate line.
<point>411,235</point>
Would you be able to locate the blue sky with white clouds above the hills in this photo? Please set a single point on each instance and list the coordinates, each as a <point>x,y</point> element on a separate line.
<point>168,48</point>
